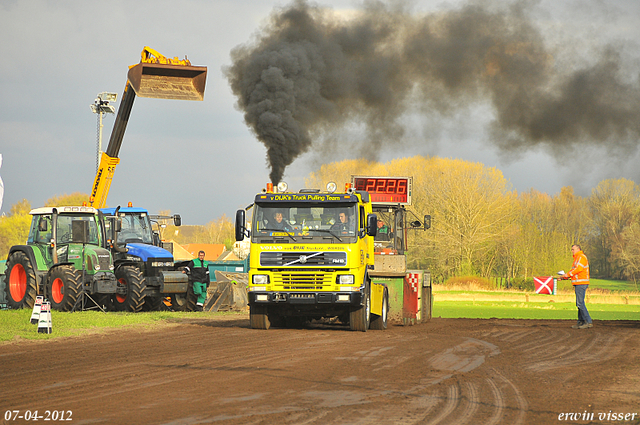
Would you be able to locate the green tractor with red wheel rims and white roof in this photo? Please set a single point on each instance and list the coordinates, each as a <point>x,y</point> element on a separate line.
<point>64,260</point>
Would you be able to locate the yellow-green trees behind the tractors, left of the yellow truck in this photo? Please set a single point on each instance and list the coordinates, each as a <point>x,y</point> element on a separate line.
<point>14,227</point>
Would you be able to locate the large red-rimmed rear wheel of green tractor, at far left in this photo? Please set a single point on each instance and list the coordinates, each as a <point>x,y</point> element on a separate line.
<point>20,281</point>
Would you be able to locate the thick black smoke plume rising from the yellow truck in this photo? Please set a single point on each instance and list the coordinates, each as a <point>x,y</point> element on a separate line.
<point>310,71</point>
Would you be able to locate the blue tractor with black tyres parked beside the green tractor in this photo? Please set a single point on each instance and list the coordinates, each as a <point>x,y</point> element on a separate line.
<point>145,271</point>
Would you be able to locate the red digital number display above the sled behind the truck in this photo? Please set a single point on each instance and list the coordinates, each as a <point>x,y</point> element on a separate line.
<point>385,190</point>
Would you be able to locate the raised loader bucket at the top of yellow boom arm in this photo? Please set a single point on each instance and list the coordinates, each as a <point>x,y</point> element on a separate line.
<point>162,81</point>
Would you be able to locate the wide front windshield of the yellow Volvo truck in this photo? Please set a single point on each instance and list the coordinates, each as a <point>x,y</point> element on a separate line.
<point>324,223</point>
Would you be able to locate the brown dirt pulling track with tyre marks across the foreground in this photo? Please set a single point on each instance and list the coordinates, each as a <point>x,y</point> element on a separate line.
<point>449,371</point>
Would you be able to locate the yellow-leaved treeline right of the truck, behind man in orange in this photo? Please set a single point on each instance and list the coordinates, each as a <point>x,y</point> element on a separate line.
<point>482,227</point>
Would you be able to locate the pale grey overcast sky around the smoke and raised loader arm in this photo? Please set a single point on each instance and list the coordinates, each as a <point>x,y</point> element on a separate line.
<point>199,159</point>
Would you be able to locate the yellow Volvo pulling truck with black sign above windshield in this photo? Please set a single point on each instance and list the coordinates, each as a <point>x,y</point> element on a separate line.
<point>310,256</point>
